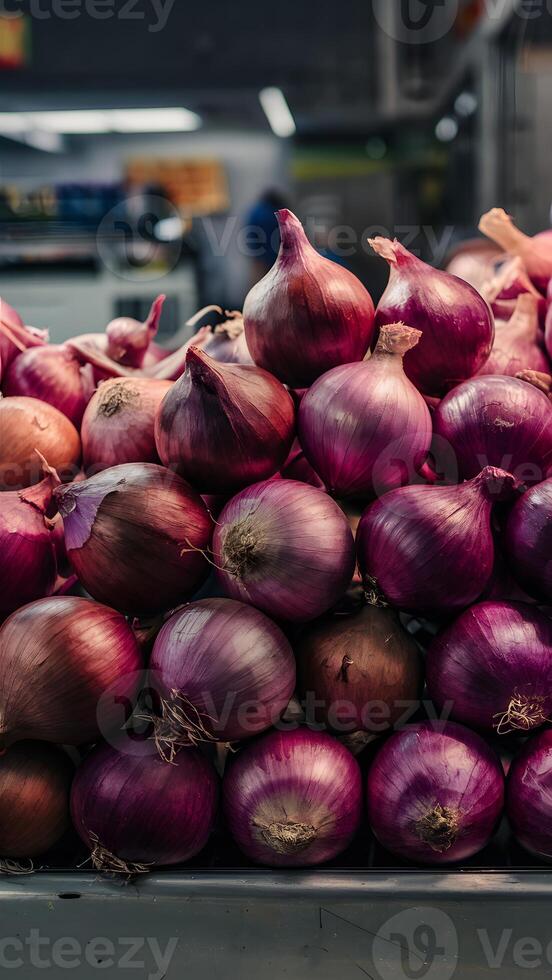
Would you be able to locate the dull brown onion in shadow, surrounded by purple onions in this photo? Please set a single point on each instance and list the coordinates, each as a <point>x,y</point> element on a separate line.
<point>363,671</point>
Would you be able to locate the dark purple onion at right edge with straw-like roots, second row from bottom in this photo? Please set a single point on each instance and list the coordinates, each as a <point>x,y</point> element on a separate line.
<point>495,655</point>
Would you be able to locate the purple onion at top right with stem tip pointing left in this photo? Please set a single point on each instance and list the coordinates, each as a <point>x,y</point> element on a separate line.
<point>456,323</point>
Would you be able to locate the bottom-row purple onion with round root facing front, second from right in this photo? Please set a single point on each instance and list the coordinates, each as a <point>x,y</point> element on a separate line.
<point>435,793</point>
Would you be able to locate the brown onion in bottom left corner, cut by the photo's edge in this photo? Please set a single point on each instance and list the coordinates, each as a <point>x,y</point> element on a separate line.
<point>35,780</point>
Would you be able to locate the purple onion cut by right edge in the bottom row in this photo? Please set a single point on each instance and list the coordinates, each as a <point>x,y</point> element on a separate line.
<point>529,795</point>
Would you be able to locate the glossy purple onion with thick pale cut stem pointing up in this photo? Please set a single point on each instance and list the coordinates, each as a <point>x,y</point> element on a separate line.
<point>364,427</point>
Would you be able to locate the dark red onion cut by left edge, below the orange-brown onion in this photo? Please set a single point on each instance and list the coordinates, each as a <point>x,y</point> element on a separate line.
<point>28,567</point>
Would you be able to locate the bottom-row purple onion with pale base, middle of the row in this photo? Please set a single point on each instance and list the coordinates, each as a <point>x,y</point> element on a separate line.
<point>293,799</point>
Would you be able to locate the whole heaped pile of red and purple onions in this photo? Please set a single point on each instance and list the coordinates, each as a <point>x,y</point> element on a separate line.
<point>253,590</point>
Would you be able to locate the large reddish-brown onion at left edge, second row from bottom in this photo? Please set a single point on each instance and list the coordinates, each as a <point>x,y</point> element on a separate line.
<point>69,667</point>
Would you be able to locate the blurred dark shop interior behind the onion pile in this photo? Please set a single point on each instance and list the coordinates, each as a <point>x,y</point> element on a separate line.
<point>145,144</point>
